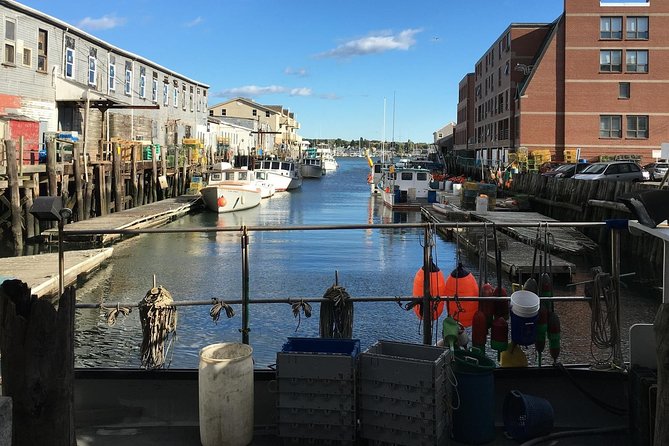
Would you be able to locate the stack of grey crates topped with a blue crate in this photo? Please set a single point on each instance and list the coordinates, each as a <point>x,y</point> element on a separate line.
<point>316,391</point>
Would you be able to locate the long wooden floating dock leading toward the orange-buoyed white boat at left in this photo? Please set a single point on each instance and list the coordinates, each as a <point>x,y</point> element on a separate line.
<point>146,216</point>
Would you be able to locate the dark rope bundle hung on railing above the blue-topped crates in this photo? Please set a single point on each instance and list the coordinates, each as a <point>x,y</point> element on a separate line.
<point>336,318</point>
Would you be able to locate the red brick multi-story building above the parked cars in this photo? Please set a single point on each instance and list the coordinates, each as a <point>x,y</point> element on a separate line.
<point>592,81</point>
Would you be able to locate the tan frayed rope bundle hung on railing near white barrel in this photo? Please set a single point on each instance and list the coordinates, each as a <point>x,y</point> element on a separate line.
<point>159,324</point>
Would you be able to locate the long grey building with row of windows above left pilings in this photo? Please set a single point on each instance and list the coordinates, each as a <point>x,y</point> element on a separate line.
<point>64,79</point>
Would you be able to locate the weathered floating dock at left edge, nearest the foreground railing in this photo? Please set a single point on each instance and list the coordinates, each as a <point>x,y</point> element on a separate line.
<point>40,272</point>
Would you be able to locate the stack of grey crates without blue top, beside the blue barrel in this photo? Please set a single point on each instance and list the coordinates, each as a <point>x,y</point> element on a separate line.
<point>403,394</point>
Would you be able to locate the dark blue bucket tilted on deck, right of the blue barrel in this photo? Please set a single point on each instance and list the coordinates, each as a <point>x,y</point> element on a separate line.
<point>527,416</point>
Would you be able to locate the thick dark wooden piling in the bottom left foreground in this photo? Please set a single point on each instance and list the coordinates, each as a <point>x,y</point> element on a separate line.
<point>37,347</point>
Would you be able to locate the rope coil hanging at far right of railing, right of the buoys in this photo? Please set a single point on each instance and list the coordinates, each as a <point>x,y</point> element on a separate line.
<point>604,329</point>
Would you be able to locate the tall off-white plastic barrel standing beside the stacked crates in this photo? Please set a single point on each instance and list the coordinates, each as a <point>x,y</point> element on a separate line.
<point>225,383</point>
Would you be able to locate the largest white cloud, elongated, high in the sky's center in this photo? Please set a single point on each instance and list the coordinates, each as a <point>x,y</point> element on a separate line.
<point>374,44</point>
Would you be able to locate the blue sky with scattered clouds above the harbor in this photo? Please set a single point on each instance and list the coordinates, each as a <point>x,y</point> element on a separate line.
<point>336,64</point>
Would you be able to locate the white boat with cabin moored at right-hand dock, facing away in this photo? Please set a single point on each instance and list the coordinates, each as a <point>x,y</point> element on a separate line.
<point>408,188</point>
